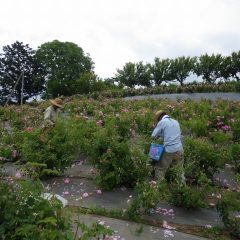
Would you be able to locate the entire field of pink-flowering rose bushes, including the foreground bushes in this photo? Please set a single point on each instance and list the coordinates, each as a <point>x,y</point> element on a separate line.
<point>114,136</point>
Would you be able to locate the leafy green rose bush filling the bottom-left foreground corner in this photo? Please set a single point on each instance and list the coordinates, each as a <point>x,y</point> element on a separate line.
<point>24,214</point>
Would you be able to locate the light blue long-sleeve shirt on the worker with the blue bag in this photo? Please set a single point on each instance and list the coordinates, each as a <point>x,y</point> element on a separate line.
<point>169,130</point>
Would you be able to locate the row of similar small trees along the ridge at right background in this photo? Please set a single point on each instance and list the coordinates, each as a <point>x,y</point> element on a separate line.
<point>210,68</point>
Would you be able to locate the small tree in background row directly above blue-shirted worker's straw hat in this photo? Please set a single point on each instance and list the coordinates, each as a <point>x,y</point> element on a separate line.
<point>160,70</point>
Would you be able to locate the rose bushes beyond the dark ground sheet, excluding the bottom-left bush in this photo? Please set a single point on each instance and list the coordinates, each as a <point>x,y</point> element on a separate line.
<point>115,136</point>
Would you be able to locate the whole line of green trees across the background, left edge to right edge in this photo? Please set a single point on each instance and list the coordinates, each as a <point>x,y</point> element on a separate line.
<point>62,68</point>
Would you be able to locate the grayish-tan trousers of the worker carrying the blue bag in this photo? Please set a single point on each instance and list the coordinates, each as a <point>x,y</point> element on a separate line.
<point>168,160</point>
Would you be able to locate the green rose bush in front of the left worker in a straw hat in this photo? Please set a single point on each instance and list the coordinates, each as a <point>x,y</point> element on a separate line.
<point>51,146</point>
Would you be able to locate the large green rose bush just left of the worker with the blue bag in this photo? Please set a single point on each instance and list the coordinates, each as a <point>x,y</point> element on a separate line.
<point>117,161</point>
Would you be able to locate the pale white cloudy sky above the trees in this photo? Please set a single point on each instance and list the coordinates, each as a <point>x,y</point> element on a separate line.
<point>115,32</point>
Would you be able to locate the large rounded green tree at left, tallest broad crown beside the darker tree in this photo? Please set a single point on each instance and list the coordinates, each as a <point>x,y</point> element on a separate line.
<point>63,63</point>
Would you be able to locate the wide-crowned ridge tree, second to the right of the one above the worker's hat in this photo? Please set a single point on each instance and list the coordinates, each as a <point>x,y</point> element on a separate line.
<point>209,67</point>
